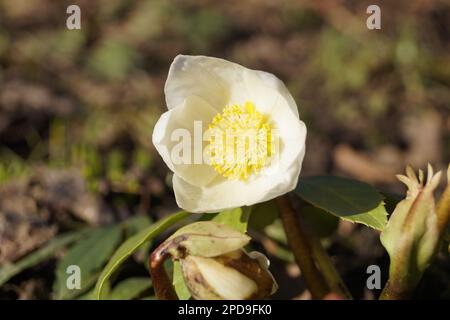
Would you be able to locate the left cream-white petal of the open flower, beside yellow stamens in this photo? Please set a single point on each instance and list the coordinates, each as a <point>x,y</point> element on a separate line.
<point>183,117</point>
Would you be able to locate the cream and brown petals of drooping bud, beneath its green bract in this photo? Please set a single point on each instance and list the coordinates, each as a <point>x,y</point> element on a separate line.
<point>232,276</point>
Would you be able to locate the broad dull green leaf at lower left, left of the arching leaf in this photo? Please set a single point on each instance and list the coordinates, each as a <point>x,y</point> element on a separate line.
<point>90,254</point>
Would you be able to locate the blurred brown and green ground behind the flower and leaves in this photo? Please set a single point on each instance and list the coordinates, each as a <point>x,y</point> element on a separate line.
<point>77,110</point>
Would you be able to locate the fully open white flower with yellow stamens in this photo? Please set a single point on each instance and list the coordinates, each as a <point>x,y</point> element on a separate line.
<point>222,95</point>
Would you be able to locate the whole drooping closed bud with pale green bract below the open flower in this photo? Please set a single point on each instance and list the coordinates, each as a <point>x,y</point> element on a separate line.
<point>215,266</point>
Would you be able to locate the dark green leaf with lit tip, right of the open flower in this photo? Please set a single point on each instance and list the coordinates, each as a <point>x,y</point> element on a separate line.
<point>348,199</point>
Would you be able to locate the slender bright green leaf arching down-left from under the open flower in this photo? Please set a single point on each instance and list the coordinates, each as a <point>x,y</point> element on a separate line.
<point>132,244</point>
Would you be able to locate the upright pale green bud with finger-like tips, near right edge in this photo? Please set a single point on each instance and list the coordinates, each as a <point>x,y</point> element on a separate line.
<point>411,235</point>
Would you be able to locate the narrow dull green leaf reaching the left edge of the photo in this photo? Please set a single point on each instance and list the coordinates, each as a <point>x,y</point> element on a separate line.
<point>10,270</point>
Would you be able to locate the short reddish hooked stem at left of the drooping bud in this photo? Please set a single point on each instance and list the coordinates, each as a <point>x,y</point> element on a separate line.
<point>161,283</point>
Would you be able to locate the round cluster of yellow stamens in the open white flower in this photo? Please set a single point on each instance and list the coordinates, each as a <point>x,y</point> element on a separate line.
<point>240,141</point>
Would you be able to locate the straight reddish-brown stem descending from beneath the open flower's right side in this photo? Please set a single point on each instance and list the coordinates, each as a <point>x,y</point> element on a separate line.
<point>301,249</point>
